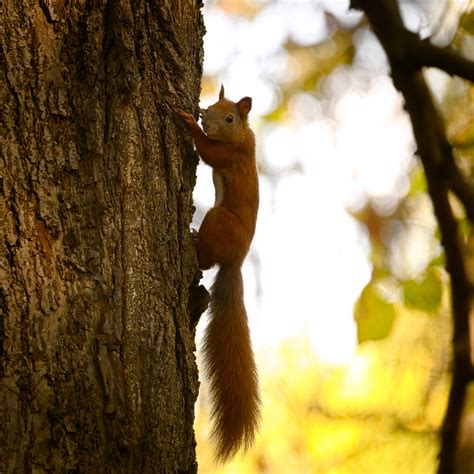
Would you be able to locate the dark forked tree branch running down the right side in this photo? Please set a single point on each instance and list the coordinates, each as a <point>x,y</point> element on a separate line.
<point>407,54</point>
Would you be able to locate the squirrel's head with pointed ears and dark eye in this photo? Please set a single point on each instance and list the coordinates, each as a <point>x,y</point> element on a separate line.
<point>225,120</point>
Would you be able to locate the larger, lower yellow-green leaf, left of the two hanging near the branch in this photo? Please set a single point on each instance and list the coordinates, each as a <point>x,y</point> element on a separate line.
<point>374,316</point>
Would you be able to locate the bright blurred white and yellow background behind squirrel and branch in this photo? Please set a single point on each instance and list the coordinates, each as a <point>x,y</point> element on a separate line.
<point>346,293</point>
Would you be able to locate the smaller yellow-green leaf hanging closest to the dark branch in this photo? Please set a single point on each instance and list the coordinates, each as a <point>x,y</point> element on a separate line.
<point>425,294</point>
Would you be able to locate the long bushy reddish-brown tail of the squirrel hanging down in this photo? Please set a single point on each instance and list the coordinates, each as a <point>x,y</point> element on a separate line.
<point>230,366</point>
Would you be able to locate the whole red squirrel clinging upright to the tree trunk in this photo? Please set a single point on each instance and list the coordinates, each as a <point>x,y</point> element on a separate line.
<point>228,146</point>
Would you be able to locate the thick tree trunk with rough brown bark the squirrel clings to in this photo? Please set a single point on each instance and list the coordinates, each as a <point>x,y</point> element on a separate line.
<point>97,261</point>
